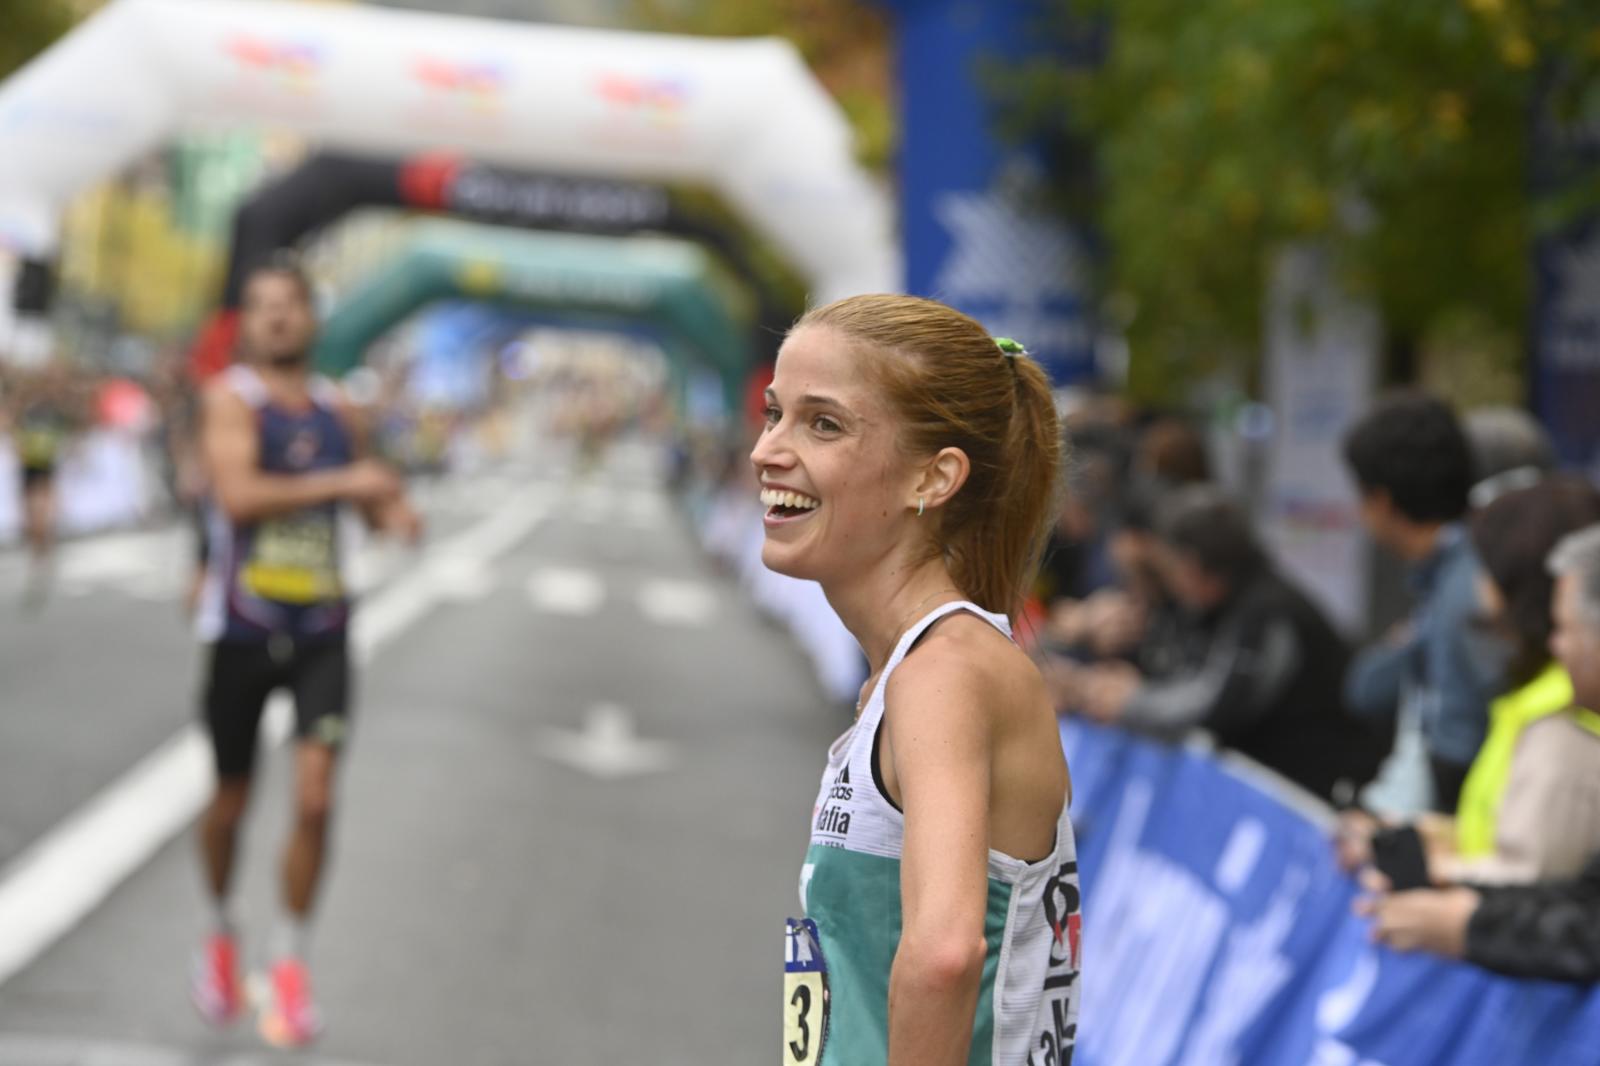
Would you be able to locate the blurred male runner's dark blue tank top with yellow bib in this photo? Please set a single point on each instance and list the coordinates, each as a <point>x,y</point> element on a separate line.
<point>282,577</point>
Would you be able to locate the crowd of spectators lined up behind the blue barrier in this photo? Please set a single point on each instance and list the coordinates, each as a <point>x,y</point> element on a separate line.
<point>1166,614</point>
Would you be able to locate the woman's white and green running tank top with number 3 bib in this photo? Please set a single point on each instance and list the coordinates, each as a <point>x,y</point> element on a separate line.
<point>850,888</point>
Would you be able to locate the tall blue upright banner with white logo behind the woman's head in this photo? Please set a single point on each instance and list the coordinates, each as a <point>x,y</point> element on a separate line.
<point>974,233</point>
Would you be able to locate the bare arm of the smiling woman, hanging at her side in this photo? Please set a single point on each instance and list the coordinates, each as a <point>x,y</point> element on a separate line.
<point>940,743</point>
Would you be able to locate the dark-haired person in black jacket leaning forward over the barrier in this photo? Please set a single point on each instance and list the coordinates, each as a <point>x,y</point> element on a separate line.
<point>1257,663</point>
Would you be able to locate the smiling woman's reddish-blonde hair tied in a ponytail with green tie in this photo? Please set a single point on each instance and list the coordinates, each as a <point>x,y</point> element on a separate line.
<point>953,387</point>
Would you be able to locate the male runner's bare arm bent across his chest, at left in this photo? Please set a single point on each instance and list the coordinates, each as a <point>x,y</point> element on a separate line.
<point>231,454</point>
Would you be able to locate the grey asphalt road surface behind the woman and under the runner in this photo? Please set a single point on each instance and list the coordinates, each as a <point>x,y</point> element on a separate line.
<point>570,820</point>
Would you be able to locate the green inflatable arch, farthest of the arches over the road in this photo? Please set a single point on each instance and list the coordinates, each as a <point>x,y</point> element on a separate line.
<point>671,286</point>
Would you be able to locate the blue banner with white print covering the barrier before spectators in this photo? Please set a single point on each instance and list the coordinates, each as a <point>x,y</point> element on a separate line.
<point>1218,932</point>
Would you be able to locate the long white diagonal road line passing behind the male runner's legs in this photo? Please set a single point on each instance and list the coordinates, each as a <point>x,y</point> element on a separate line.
<point>65,875</point>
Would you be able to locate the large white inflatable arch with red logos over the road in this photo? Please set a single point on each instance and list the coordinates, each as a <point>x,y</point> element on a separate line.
<point>745,118</point>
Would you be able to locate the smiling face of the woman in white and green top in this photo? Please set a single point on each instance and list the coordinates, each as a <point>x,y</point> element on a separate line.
<point>838,491</point>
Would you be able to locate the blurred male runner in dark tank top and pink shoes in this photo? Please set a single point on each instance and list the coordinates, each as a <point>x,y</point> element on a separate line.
<point>284,457</point>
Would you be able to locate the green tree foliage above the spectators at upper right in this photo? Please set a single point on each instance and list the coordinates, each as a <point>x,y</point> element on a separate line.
<point>1398,134</point>
